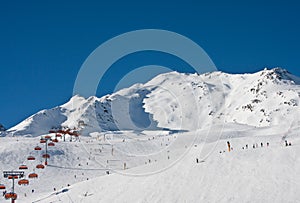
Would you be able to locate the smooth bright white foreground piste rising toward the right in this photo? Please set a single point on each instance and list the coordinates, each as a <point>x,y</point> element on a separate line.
<point>256,175</point>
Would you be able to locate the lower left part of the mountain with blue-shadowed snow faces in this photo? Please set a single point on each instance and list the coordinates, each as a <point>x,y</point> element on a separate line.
<point>112,112</point>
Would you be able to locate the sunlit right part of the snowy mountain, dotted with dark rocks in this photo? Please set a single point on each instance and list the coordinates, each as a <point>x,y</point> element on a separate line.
<point>260,99</point>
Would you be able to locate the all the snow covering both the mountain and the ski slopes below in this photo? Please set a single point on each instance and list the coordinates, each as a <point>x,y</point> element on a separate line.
<point>157,131</point>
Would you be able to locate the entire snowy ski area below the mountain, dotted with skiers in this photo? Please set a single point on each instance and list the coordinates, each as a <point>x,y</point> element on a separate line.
<point>263,174</point>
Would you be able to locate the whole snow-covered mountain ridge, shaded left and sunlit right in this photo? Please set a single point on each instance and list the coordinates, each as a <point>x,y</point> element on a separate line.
<point>179,101</point>
